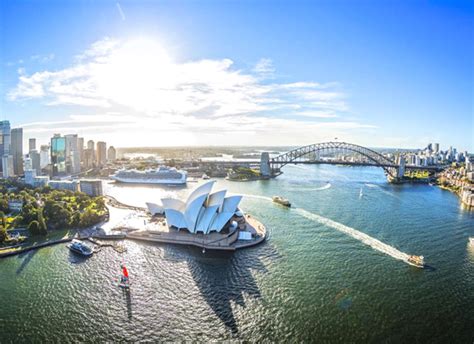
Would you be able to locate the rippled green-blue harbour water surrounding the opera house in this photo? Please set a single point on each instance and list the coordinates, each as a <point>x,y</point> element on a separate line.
<point>332,270</point>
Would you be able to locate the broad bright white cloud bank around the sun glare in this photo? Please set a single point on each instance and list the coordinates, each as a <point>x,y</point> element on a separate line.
<point>144,90</point>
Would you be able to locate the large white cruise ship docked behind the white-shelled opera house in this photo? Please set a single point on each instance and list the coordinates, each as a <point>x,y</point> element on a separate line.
<point>161,175</point>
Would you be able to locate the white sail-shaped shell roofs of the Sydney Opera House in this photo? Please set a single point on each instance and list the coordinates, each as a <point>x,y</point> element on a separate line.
<point>203,211</point>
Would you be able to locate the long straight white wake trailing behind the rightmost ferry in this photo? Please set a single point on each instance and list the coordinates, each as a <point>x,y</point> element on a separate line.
<point>362,237</point>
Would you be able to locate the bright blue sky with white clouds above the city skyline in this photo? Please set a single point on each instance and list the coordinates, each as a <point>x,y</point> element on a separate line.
<point>180,73</point>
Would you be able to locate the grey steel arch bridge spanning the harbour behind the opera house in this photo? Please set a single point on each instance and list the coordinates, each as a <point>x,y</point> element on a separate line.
<point>296,155</point>
